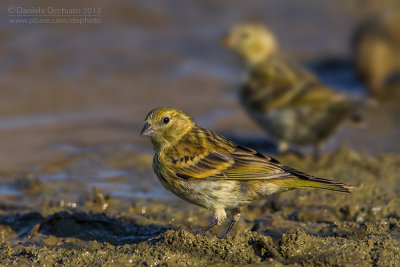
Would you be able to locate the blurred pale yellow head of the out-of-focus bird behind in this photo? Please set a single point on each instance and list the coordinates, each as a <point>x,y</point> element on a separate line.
<point>252,42</point>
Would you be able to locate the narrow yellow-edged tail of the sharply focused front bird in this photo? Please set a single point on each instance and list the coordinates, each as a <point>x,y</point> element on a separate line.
<point>303,180</point>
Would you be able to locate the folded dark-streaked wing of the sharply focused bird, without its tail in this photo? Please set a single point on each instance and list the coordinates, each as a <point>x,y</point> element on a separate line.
<point>241,163</point>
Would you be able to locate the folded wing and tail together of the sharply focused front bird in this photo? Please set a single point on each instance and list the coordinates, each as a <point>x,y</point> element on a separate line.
<point>248,165</point>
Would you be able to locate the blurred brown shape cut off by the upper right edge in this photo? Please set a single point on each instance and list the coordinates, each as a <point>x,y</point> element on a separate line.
<point>376,51</point>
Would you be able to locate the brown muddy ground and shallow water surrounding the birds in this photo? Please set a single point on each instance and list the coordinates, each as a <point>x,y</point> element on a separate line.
<point>76,184</point>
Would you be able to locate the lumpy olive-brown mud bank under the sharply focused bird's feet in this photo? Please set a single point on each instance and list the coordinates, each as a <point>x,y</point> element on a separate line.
<point>306,227</point>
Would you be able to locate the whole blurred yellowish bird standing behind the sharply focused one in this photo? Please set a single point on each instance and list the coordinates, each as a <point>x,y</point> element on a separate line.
<point>287,101</point>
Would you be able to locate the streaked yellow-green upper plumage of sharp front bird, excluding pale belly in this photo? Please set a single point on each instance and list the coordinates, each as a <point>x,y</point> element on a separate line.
<point>187,151</point>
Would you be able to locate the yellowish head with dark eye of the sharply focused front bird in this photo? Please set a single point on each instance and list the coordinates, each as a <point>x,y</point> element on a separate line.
<point>165,126</point>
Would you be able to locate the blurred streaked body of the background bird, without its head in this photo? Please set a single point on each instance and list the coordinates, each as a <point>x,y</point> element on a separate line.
<point>291,103</point>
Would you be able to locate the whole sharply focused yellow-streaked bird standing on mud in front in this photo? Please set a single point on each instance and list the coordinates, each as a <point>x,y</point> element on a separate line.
<point>208,170</point>
